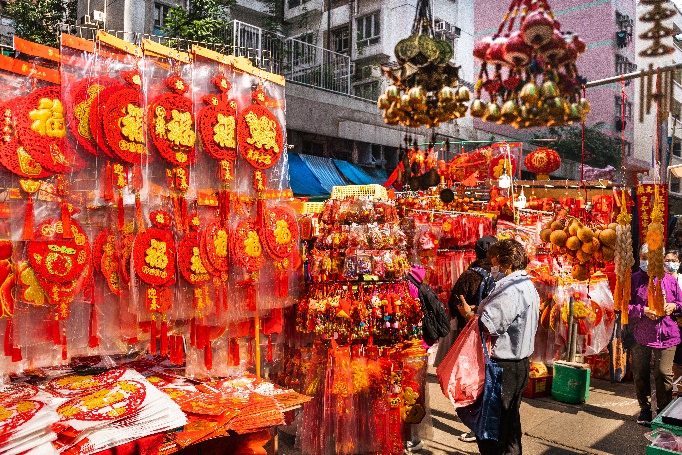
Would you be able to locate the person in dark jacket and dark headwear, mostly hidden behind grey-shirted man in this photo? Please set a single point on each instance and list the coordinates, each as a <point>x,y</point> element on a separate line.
<point>468,285</point>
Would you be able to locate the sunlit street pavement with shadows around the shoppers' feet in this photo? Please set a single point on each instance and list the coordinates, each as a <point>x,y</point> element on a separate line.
<point>605,424</point>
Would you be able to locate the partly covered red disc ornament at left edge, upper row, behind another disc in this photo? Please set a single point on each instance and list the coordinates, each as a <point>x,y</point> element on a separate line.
<point>13,155</point>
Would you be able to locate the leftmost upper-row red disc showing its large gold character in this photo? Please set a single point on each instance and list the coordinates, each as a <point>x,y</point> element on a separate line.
<point>41,127</point>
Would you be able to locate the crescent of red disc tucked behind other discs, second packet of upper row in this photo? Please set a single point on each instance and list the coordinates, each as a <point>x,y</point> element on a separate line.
<point>81,97</point>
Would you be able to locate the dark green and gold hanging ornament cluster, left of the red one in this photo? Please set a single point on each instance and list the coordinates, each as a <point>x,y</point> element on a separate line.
<point>425,90</point>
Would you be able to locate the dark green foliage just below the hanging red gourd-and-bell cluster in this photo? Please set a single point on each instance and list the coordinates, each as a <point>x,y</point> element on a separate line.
<point>601,149</point>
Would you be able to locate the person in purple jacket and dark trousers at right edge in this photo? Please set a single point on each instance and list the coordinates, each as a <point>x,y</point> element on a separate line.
<point>657,335</point>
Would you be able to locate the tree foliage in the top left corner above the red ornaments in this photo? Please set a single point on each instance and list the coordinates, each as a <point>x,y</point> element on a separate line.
<point>38,20</point>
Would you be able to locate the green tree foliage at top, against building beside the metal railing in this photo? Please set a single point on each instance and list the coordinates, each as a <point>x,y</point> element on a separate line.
<point>205,20</point>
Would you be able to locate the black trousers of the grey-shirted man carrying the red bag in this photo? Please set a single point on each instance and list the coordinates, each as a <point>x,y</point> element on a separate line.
<point>514,381</point>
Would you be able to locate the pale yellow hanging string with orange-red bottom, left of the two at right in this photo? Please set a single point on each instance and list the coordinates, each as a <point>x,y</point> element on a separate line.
<point>624,261</point>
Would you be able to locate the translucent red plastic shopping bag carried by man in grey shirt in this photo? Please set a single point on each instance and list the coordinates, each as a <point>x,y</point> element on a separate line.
<point>461,374</point>
